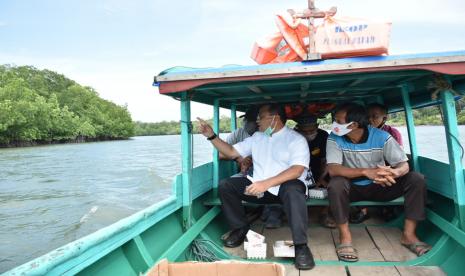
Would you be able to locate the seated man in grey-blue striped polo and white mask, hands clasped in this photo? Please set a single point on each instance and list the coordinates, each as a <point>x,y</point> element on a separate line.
<point>356,154</point>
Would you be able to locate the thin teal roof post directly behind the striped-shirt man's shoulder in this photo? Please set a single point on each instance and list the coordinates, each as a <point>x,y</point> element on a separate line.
<point>412,138</point>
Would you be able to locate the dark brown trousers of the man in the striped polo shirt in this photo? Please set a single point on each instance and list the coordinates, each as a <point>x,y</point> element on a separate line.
<point>412,186</point>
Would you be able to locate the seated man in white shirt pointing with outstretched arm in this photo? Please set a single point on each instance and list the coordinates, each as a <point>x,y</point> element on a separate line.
<point>280,170</point>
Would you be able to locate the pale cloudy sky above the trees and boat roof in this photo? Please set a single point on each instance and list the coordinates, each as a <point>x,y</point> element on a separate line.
<point>117,47</point>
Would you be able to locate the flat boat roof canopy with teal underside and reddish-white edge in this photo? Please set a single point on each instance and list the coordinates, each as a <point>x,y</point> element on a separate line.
<point>363,80</point>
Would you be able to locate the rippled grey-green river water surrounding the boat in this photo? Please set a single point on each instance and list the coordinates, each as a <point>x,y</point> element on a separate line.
<point>52,195</point>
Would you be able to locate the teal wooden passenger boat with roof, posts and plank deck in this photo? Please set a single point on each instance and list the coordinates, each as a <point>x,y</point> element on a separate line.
<point>168,228</point>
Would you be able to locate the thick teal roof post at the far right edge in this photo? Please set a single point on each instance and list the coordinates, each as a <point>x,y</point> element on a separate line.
<point>455,151</point>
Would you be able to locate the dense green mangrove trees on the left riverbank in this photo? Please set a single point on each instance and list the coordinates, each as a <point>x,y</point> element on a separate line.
<point>43,106</point>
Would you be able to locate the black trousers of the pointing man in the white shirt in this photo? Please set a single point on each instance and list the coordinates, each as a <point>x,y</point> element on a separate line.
<point>291,195</point>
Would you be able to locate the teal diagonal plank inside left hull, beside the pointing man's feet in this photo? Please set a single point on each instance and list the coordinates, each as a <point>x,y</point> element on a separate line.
<point>183,242</point>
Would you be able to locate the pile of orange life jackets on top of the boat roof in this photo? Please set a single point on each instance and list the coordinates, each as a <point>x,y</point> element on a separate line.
<point>335,38</point>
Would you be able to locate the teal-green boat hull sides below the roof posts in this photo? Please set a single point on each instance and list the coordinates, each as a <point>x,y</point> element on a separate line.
<point>135,244</point>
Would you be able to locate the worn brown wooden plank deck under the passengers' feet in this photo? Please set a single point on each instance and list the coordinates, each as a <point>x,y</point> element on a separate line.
<point>374,244</point>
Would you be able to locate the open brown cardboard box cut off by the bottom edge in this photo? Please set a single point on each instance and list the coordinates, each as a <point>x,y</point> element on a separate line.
<point>221,268</point>
